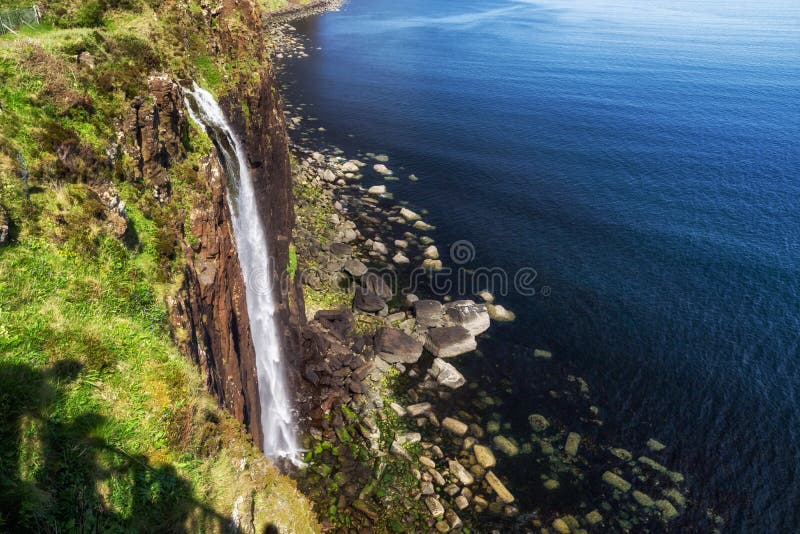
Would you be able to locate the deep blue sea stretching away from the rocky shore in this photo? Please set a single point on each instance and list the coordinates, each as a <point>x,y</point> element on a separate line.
<point>644,161</point>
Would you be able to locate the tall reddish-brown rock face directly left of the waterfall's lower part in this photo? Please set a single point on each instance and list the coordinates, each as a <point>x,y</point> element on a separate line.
<point>210,311</point>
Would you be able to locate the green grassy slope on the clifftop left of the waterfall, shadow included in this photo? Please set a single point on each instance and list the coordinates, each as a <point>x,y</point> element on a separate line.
<point>103,424</point>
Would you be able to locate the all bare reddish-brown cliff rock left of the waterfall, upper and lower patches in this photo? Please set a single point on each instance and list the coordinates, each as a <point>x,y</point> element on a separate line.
<point>209,312</point>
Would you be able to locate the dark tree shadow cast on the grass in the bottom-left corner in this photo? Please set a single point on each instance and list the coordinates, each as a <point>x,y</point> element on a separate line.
<point>57,474</point>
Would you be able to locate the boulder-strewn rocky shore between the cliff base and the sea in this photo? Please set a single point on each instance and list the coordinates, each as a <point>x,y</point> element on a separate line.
<point>397,439</point>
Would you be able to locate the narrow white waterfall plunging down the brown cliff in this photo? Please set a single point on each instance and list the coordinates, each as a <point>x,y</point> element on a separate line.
<point>251,241</point>
